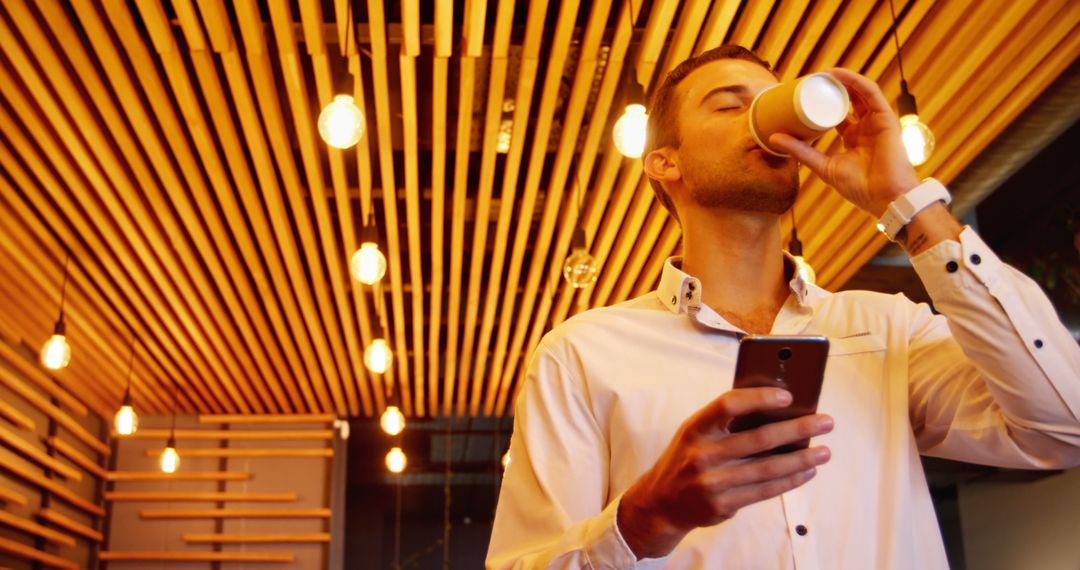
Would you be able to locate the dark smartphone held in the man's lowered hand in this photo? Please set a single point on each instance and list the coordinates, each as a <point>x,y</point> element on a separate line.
<point>796,364</point>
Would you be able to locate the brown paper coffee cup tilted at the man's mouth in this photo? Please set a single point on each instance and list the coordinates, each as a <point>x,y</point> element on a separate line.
<point>804,108</point>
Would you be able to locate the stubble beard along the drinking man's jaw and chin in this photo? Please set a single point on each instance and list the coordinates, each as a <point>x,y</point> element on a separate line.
<point>744,185</point>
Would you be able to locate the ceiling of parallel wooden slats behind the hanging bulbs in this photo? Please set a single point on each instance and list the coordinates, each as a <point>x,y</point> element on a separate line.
<point>173,148</point>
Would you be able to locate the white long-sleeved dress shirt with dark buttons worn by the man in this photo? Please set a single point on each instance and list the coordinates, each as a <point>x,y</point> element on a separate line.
<point>997,383</point>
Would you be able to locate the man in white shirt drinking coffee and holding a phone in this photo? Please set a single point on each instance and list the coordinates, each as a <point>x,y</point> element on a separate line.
<point>622,455</point>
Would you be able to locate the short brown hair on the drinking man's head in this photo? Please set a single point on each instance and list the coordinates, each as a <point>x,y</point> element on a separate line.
<point>663,128</point>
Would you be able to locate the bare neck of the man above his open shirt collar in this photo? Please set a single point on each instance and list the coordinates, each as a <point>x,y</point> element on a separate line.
<point>739,259</point>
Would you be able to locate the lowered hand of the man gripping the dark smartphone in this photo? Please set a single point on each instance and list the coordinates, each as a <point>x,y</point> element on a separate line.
<point>706,477</point>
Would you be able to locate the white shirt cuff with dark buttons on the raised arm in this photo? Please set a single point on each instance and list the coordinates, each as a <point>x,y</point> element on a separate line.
<point>951,266</point>
